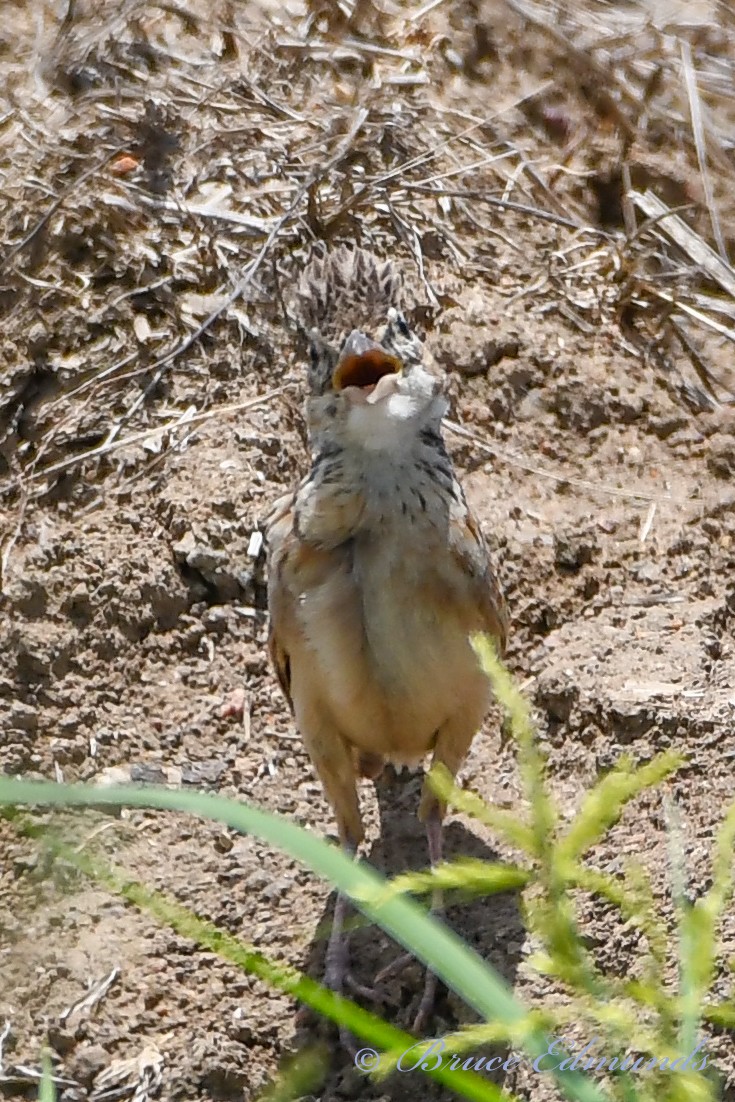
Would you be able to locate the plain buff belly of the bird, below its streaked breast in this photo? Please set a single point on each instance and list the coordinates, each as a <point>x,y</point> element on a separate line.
<point>397,664</point>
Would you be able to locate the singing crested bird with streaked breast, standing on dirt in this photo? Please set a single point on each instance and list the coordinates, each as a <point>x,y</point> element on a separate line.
<point>379,572</point>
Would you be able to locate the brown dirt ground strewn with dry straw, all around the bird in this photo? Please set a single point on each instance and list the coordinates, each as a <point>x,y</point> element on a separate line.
<point>163,164</point>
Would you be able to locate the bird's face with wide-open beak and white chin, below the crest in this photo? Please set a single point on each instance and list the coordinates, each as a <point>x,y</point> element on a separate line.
<point>374,392</point>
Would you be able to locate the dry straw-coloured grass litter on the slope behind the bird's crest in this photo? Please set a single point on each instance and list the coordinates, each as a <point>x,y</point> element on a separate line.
<point>166,168</point>
